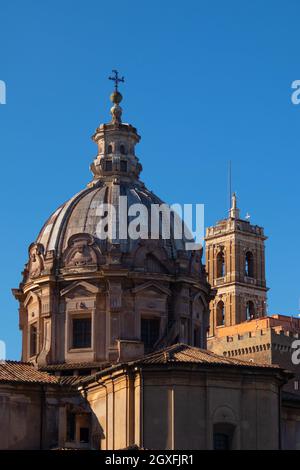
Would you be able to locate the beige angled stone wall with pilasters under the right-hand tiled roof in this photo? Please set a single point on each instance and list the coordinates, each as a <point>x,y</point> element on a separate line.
<point>178,408</point>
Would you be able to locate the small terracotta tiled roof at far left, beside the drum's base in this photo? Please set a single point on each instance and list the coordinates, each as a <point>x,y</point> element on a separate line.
<point>14,371</point>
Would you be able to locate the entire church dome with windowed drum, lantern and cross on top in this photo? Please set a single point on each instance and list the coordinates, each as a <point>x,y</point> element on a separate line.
<point>106,280</point>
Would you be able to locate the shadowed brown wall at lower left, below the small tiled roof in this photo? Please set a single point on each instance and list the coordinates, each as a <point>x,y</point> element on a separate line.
<point>31,415</point>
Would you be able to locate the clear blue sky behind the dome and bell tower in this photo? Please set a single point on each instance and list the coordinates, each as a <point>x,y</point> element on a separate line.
<point>206,81</point>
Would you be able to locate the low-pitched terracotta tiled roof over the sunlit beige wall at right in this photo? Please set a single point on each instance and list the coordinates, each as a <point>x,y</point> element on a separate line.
<point>182,353</point>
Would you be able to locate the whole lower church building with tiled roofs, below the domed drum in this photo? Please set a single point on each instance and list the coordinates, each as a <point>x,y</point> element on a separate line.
<point>180,397</point>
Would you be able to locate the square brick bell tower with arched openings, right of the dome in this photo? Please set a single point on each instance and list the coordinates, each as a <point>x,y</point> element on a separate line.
<point>235,263</point>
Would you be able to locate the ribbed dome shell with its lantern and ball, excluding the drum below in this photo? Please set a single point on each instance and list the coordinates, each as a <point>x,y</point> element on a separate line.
<point>116,171</point>
